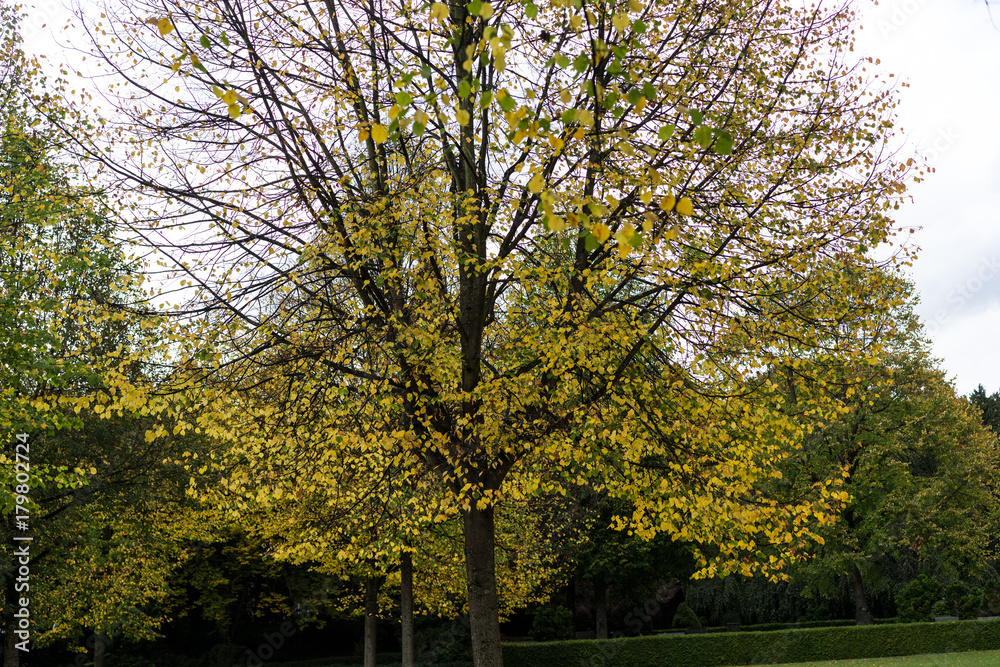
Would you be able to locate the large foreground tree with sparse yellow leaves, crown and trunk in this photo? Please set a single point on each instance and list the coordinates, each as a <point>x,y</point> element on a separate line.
<point>546,241</point>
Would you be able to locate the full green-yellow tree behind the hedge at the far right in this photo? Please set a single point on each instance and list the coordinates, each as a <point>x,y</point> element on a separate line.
<point>921,470</point>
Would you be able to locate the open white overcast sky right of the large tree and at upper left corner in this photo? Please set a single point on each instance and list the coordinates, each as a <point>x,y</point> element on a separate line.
<point>949,53</point>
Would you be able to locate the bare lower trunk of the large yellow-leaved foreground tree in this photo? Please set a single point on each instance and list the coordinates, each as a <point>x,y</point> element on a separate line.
<point>480,570</point>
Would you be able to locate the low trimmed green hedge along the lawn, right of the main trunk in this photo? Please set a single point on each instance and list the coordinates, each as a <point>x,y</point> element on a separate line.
<point>758,648</point>
